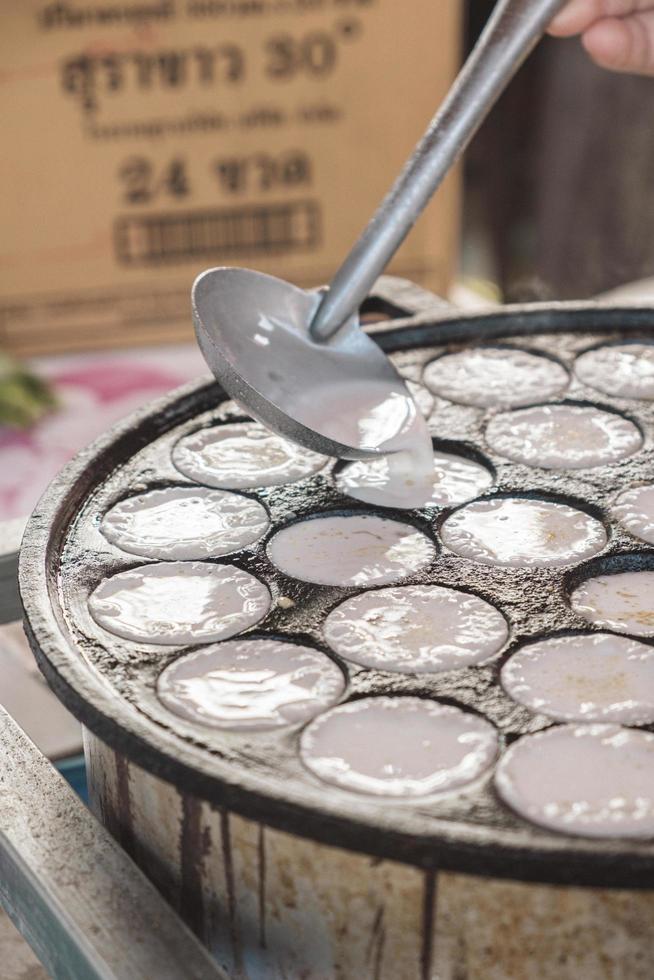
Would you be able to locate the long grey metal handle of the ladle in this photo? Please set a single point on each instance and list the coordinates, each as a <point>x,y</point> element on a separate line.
<point>513,30</point>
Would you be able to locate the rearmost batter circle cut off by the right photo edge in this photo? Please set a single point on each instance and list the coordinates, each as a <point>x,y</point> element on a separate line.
<point>621,370</point>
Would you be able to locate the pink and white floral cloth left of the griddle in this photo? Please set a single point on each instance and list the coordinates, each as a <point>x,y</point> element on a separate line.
<point>95,390</point>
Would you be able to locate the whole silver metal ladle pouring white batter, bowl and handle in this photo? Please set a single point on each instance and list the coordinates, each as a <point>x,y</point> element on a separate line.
<point>297,359</point>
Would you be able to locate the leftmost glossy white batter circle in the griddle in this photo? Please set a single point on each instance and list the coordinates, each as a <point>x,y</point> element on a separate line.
<point>179,603</point>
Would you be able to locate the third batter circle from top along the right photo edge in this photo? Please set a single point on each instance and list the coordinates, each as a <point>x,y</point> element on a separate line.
<point>623,602</point>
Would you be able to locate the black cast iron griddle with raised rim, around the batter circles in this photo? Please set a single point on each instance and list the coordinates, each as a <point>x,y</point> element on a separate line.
<point>108,683</point>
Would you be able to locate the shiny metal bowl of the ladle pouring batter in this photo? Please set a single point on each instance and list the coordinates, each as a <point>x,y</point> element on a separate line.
<point>340,397</point>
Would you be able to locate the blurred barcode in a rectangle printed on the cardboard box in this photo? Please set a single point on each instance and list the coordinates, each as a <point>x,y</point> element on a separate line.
<point>157,239</point>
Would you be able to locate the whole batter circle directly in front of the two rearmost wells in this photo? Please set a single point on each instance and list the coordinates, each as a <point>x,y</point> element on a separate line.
<point>556,437</point>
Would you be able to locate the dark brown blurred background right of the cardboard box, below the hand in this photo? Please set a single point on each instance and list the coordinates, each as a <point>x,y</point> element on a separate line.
<point>558,191</point>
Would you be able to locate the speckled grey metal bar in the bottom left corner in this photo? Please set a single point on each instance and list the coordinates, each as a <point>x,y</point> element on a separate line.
<point>83,906</point>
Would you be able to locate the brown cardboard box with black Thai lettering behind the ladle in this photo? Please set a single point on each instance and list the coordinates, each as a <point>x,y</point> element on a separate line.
<point>146,140</point>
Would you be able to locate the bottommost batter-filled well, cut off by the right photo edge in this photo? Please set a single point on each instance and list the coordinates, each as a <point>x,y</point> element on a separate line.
<point>587,780</point>
